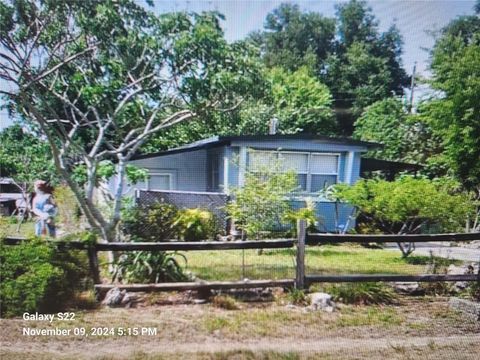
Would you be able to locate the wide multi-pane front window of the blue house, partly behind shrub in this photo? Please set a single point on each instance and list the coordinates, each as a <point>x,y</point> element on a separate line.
<point>315,171</point>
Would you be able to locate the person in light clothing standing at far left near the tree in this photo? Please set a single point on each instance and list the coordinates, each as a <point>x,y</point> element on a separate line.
<point>45,209</point>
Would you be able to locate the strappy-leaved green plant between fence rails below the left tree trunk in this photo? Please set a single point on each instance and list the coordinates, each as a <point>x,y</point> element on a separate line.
<point>148,267</point>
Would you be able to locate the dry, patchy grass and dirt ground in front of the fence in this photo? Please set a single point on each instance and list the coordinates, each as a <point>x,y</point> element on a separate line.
<point>415,328</point>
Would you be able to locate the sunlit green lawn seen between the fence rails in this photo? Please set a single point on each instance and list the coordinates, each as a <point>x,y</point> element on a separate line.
<point>278,264</point>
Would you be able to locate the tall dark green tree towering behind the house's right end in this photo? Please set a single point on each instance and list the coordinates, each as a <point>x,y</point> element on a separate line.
<point>366,65</point>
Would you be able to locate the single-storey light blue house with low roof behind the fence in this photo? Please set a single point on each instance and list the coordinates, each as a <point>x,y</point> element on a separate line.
<point>212,167</point>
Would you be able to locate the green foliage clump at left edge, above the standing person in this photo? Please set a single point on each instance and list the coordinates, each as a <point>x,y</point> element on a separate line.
<point>25,157</point>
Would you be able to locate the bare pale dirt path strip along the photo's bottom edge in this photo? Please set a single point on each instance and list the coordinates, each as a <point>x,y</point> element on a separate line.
<point>459,347</point>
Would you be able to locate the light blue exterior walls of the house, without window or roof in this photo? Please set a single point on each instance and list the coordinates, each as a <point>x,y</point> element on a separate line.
<point>192,171</point>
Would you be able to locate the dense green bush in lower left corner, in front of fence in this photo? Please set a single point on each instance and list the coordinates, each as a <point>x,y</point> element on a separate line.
<point>38,277</point>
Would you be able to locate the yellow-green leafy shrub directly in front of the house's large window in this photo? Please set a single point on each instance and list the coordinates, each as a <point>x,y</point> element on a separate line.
<point>261,203</point>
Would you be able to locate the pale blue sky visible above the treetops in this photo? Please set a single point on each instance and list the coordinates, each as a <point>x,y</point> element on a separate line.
<point>414,18</point>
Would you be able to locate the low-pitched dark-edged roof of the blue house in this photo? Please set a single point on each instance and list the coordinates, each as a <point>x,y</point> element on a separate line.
<point>216,141</point>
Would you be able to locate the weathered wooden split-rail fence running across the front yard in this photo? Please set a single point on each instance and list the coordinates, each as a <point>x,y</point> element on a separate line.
<point>301,281</point>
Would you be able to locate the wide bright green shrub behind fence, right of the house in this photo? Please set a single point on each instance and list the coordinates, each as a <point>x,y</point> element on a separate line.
<point>407,204</point>
